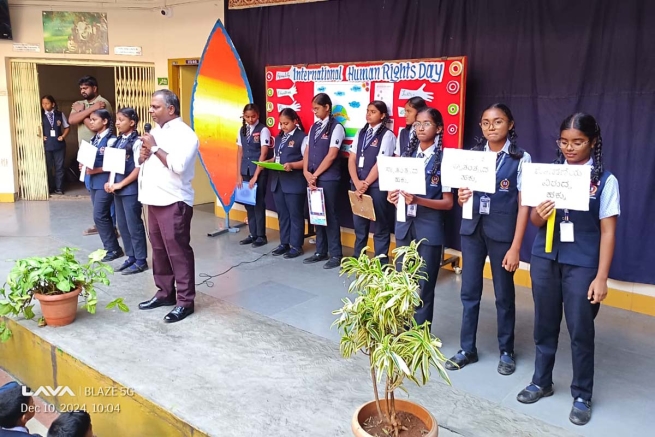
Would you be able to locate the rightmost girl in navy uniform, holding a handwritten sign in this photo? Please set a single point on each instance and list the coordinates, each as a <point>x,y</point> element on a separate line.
<point>572,278</point>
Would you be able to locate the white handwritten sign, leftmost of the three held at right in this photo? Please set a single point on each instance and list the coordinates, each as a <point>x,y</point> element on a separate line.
<point>406,174</point>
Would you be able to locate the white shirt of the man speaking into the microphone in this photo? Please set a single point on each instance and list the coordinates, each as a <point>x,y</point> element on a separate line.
<point>160,185</point>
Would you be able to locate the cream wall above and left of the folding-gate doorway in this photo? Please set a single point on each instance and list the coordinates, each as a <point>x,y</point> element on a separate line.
<point>184,34</point>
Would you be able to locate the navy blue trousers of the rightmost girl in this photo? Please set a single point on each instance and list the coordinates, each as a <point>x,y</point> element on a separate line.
<point>555,287</point>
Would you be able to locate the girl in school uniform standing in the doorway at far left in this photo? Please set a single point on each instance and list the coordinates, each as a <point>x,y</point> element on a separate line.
<point>55,130</point>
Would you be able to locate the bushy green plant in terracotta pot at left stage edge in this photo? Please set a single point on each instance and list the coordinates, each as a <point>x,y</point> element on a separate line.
<point>56,281</point>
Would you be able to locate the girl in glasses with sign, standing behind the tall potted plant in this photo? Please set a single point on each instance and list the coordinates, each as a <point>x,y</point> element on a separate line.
<point>425,213</point>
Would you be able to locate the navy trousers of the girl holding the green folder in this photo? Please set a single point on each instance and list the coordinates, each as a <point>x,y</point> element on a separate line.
<point>291,215</point>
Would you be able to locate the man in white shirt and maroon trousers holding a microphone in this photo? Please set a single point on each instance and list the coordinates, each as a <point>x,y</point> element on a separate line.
<point>167,159</point>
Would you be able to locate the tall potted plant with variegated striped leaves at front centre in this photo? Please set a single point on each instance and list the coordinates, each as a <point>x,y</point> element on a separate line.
<point>380,324</point>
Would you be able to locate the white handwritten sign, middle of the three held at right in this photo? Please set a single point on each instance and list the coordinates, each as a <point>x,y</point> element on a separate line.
<point>469,169</point>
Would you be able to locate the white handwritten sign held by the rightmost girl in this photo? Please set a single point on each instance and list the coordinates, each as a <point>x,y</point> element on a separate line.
<point>567,185</point>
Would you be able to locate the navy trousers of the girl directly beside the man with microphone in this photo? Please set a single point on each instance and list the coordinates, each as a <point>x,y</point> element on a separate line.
<point>130,224</point>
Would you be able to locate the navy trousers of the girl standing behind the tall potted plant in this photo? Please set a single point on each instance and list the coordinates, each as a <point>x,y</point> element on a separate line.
<point>432,257</point>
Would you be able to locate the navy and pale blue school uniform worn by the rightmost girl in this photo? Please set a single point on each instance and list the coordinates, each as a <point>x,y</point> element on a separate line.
<point>562,278</point>
